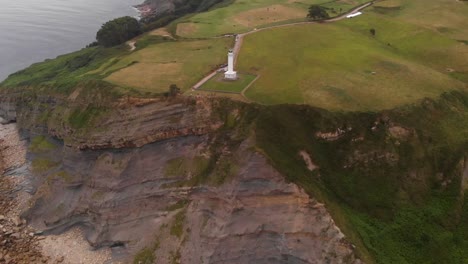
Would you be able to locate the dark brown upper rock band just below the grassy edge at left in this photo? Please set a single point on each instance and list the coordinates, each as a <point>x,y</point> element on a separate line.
<point>84,122</point>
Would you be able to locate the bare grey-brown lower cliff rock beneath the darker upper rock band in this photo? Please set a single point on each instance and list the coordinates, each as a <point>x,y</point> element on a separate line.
<point>137,197</point>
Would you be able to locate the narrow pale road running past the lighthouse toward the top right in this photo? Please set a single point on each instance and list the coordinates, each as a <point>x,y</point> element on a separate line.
<point>240,37</point>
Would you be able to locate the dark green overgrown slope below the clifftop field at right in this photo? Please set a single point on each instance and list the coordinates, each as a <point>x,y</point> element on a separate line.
<point>396,210</point>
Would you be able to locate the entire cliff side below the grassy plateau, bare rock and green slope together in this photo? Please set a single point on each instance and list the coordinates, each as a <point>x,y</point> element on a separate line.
<point>203,180</point>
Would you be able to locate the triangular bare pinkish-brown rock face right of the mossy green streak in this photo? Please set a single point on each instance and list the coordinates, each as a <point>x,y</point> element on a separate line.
<point>259,218</point>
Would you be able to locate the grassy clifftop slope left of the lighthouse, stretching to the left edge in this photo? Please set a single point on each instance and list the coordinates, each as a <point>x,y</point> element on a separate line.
<point>157,63</point>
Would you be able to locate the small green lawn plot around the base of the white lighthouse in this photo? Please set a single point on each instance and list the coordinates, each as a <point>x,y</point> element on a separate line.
<point>219,84</point>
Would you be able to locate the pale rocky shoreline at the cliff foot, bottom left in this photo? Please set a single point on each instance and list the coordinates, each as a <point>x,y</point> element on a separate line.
<point>19,242</point>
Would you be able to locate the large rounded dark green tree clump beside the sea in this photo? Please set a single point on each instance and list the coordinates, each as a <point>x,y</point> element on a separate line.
<point>117,31</point>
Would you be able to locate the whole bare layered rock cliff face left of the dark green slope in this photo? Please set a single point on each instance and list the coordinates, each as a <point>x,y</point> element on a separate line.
<point>171,180</point>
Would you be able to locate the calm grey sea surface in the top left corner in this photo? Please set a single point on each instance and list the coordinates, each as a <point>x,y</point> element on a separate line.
<point>35,30</point>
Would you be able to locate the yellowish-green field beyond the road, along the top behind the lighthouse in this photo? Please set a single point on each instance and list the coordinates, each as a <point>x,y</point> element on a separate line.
<point>245,15</point>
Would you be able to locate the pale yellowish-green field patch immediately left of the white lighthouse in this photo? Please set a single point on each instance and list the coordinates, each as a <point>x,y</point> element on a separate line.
<point>155,67</point>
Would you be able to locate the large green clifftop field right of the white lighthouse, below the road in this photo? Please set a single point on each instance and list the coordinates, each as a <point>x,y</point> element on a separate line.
<point>341,66</point>
